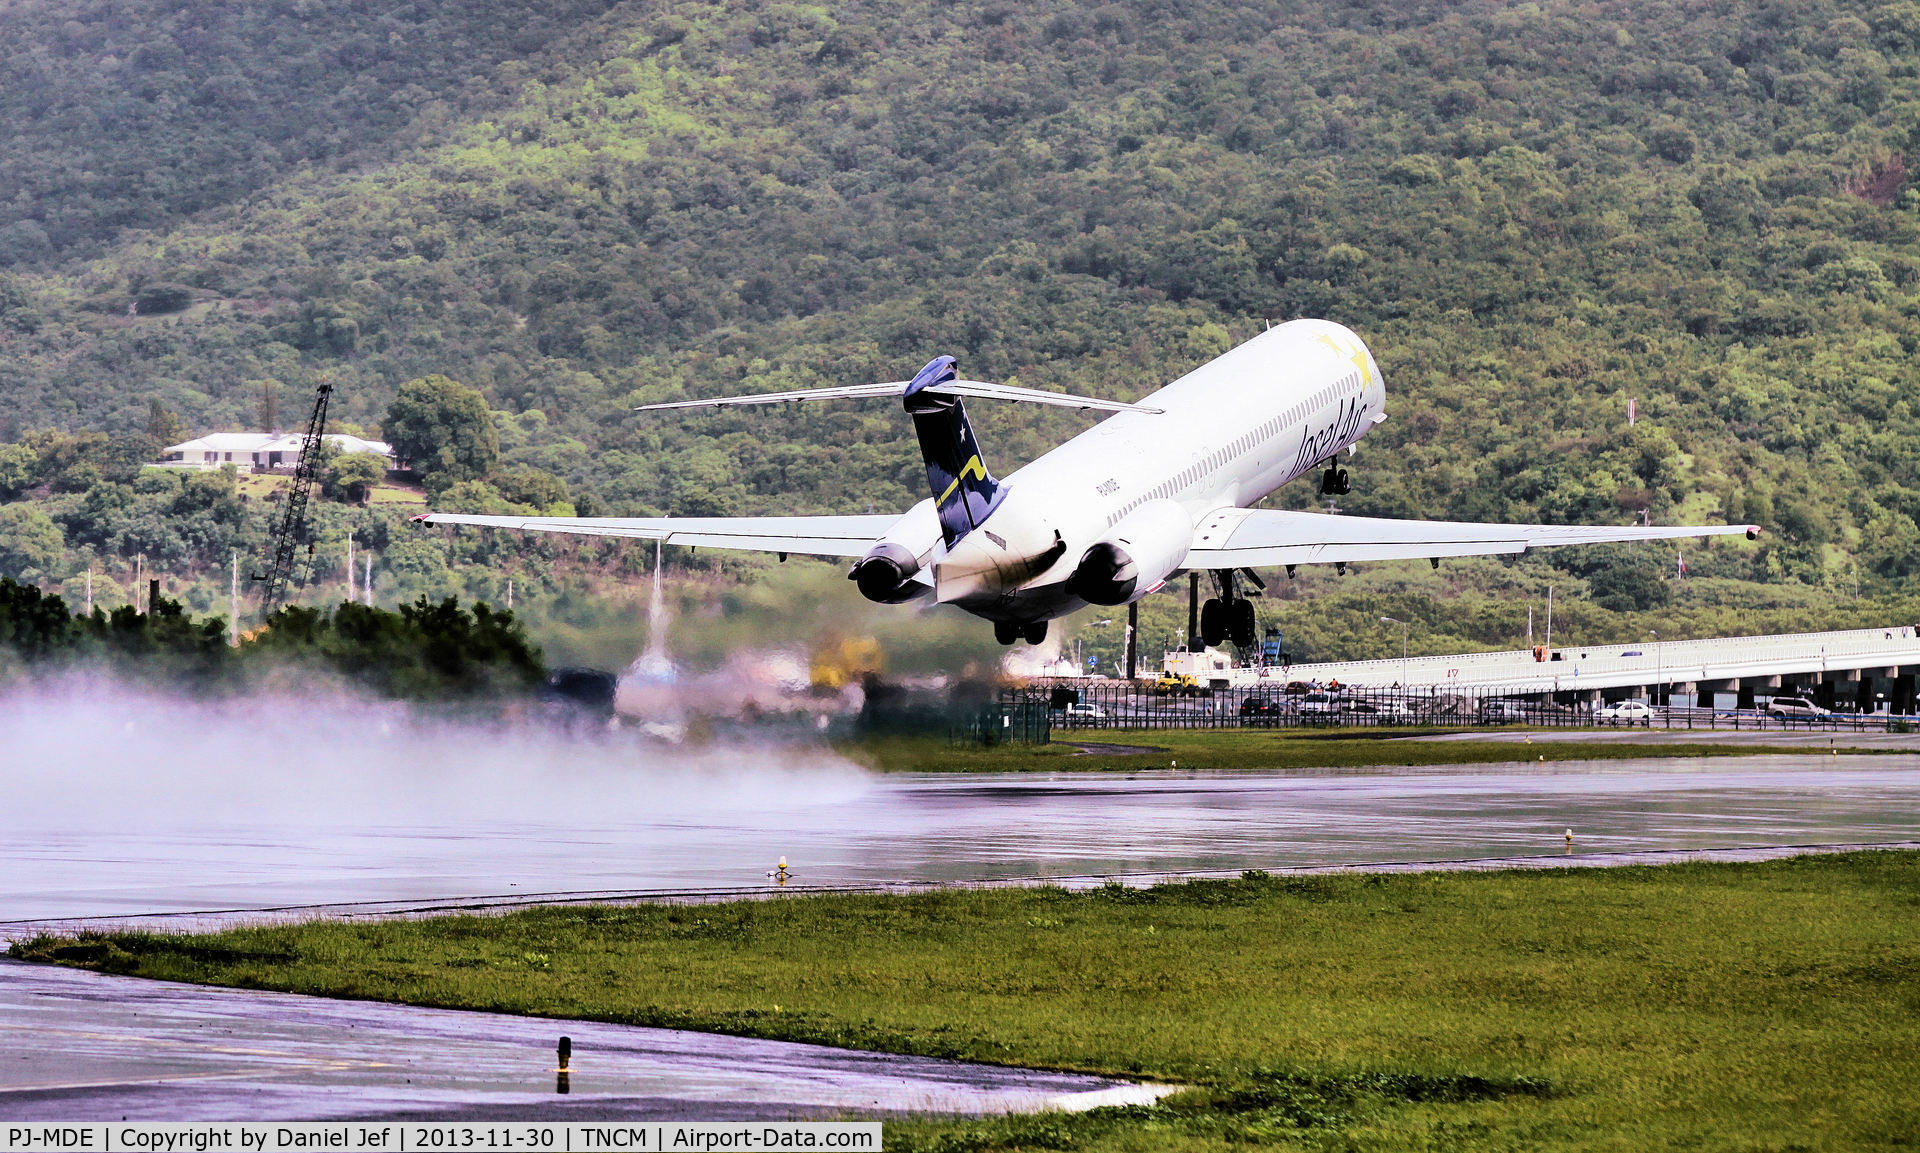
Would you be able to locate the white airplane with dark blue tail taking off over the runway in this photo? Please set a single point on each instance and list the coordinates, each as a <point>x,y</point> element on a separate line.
<point>1161,488</point>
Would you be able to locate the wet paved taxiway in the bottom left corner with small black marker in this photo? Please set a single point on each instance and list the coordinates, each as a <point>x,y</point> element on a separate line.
<point>97,1048</point>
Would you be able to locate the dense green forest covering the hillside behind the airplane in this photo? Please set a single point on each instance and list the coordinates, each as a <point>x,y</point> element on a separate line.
<point>1535,214</point>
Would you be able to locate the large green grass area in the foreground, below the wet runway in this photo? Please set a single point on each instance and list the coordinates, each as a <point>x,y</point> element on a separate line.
<point>1764,1006</point>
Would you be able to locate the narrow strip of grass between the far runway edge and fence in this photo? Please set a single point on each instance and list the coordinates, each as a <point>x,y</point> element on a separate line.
<point>1243,749</point>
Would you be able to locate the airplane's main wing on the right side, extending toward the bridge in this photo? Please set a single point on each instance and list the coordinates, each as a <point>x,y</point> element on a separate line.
<point>1253,538</point>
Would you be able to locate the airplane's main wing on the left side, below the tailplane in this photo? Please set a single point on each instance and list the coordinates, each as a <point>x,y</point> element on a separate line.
<point>809,536</point>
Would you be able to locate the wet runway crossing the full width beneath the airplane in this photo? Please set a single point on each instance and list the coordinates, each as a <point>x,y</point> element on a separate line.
<point>711,826</point>
